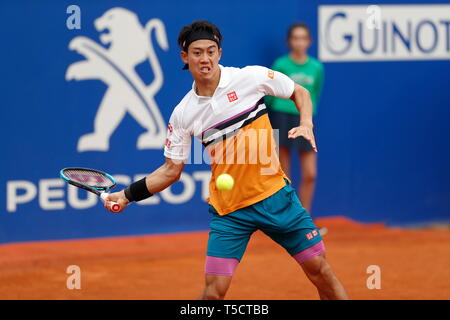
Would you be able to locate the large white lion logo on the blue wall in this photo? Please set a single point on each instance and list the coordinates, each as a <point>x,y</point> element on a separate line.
<point>129,45</point>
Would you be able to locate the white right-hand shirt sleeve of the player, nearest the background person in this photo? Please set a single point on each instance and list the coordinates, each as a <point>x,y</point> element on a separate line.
<point>271,82</point>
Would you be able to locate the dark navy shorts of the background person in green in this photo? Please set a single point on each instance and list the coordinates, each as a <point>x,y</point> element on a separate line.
<point>285,122</point>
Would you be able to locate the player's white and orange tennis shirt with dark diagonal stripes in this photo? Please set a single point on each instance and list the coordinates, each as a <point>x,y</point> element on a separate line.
<point>235,108</point>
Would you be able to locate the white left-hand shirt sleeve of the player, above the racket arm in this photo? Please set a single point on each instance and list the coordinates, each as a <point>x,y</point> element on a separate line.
<point>178,141</point>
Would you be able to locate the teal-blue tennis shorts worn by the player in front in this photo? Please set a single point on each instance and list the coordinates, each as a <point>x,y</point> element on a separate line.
<point>280,216</point>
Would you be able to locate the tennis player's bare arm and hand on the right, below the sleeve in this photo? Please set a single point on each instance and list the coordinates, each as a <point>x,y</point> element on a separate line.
<point>303,103</point>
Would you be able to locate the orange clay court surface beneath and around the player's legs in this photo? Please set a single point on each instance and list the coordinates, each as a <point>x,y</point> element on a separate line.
<point>415,264</point>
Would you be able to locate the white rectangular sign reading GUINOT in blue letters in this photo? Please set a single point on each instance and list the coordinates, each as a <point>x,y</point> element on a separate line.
<point>387,32</point>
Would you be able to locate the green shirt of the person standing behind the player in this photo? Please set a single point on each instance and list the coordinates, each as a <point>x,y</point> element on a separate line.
<point>309,75</point>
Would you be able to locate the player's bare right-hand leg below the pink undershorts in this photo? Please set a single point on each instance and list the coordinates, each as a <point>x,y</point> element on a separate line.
<point>319,272</point>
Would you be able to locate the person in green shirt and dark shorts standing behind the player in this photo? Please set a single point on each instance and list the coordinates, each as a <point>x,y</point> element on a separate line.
<point>307,72</point>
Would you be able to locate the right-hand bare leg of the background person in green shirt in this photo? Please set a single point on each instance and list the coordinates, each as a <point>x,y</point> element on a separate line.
<point>308,164</point>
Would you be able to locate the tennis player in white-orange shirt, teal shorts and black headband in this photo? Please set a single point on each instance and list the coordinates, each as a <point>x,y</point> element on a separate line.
<point>225,110</point>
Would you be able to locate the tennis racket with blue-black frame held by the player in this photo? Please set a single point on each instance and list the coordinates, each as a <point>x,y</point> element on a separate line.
<point>92,180</point>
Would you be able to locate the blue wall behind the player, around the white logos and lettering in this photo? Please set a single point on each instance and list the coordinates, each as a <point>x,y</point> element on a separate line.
<point>382,128</point>
